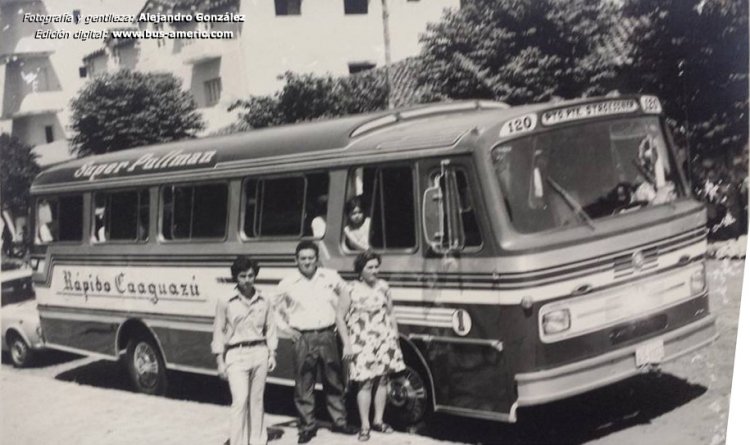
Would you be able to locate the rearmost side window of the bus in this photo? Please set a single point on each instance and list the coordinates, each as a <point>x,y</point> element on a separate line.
<point>60,219</point>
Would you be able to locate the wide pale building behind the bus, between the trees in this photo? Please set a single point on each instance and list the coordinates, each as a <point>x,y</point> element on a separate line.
<point>304,36</point>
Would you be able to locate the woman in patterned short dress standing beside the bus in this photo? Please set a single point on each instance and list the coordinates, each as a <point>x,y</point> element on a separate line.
<point>369,333</point>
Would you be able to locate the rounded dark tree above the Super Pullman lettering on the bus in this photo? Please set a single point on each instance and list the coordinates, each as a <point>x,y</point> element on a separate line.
<point>127,109</point>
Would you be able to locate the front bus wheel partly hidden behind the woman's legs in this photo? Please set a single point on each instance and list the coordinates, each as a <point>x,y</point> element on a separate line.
<point>409,396</point>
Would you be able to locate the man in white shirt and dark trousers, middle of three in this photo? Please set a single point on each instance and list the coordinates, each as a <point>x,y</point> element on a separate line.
<point>308,299</point>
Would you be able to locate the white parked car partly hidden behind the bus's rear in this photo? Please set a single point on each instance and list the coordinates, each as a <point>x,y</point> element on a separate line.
<point>19,321</point>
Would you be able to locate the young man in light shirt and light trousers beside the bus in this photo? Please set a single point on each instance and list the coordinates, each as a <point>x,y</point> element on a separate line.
<point>244,341</point>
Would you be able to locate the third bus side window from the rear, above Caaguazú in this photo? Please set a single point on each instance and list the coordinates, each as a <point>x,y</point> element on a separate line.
<point>190,212</point>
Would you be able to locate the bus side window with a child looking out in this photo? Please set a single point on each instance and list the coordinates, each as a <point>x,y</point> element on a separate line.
<point>387,195</point>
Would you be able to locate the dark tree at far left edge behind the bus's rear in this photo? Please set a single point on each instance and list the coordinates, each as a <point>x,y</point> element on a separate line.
<point>17,171</point>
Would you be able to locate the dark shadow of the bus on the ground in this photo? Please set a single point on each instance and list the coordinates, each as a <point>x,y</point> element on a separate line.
<point>573,421</point>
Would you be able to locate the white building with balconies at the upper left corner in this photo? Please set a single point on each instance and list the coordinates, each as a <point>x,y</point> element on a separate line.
<point>39,76</point>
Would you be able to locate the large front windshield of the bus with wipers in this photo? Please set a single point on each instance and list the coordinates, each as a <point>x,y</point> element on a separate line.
<point>578,174</point>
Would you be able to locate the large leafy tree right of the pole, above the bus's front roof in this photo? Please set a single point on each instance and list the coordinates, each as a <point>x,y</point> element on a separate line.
<point>522,51</point>
